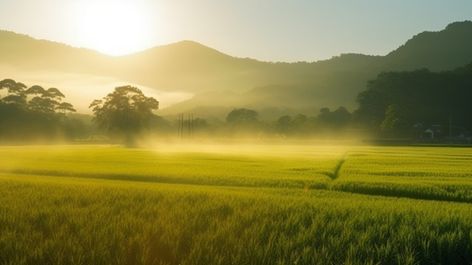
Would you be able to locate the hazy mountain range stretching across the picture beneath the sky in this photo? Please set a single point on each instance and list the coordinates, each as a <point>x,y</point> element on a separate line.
<point>219,82</point>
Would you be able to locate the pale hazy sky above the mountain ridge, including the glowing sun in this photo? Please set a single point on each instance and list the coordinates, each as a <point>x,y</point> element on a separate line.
<point>275,30</point>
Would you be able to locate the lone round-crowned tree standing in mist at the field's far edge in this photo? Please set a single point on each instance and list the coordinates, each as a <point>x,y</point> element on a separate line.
<point>124,112</point>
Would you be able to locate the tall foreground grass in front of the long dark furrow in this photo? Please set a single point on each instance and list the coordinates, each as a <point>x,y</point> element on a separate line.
<point>47,220</point>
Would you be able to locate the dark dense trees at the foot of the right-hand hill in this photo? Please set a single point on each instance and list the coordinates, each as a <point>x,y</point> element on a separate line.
<point>418,102</point>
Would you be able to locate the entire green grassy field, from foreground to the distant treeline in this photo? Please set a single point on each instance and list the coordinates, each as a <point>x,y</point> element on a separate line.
<point>235,204</point>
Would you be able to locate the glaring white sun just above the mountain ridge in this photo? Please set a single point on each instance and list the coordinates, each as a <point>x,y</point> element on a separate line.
<point>113,27</point>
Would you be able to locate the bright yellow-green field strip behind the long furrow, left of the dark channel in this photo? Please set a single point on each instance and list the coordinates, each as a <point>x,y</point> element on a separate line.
<point>224,166</point>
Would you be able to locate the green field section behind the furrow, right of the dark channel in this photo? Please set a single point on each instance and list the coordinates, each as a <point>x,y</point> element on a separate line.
<point>436,173</point>
